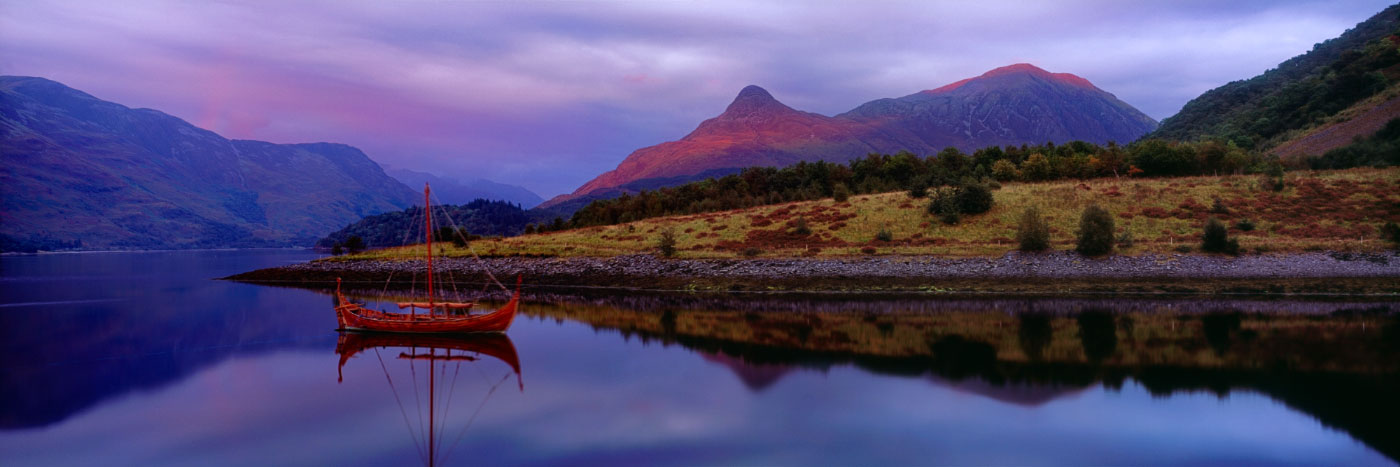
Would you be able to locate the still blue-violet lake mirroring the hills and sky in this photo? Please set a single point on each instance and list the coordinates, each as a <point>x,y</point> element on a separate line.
<point>145,360</point>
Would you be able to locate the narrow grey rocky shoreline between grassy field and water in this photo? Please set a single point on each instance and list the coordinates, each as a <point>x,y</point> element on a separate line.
<point>1322,273</point>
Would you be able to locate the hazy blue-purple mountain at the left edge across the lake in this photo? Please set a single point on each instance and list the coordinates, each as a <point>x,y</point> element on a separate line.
<point>83,173</point>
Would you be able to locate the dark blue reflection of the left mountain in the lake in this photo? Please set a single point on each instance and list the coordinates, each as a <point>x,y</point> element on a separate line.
<point>62,361</point>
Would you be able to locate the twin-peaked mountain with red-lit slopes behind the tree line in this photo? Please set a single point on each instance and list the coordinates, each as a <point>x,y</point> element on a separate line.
<point>1018,104</point>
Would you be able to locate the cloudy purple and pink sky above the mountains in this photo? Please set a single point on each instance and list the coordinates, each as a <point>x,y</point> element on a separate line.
<point>549,94</point>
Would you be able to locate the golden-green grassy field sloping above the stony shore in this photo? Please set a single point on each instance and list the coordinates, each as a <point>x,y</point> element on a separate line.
<point>1340,210</point>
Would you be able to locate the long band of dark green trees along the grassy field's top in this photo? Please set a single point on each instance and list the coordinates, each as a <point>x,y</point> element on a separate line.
<point>906,171</point>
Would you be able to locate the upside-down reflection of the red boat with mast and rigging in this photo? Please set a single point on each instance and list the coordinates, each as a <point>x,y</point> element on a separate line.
<point>470,347</point>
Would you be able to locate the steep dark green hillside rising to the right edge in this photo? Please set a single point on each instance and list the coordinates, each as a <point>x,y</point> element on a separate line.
<point>1343,89</point>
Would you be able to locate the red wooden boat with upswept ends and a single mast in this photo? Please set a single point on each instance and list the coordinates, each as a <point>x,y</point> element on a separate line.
<point>440,317</point>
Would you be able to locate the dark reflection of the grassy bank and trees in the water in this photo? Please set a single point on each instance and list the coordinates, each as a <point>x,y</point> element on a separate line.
<point>1333,361</point>
